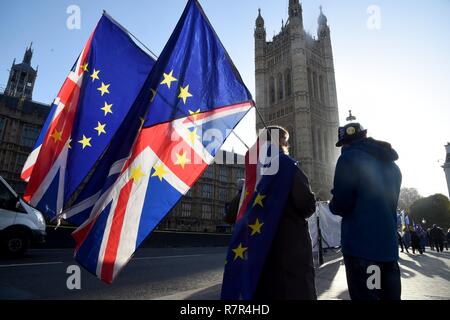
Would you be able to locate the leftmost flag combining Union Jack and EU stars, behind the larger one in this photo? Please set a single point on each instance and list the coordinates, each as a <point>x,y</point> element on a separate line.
<point>92,104</point>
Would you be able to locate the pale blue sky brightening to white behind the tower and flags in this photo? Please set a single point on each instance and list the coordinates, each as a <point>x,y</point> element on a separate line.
<point>396,79</point>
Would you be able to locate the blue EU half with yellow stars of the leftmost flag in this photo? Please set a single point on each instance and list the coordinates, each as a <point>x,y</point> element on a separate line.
<point>114,71</point>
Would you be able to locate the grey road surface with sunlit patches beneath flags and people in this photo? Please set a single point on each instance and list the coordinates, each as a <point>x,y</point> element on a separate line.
<point>194,274</point>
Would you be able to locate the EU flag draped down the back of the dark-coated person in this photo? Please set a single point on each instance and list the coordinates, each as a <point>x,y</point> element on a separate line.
<point>262,203</point>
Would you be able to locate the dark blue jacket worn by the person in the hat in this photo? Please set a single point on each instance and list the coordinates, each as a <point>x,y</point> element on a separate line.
<point>366,190</point>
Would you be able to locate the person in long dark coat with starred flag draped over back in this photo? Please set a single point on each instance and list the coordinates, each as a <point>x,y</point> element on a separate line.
<point>288,273</point>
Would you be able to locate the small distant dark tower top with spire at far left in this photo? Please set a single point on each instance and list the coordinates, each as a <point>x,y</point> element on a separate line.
<point>22,77</point>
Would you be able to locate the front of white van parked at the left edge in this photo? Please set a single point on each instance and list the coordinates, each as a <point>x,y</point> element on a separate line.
<point>20,224</point>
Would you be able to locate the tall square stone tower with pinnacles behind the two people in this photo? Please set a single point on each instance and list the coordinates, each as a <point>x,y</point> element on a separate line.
<point>296,88</point>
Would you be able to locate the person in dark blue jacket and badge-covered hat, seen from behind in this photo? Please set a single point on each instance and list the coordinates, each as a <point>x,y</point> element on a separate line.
<point>365,193</point>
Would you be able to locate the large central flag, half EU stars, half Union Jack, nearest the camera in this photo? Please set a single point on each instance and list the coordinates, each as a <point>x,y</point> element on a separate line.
<point>197,98</point>
